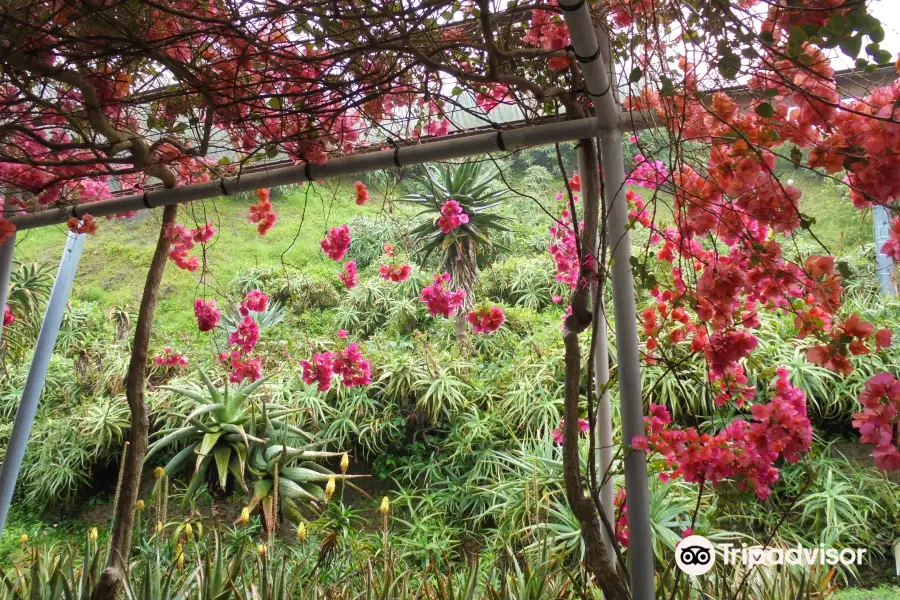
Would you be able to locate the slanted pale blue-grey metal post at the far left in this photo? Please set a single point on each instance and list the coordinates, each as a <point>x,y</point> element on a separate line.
<point>34,385</point>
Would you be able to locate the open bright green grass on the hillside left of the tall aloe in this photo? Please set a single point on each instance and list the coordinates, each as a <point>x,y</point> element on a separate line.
<point>115,261</point>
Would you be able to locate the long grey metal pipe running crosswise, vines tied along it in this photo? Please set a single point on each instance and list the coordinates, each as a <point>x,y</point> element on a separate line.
<point>503,140</point>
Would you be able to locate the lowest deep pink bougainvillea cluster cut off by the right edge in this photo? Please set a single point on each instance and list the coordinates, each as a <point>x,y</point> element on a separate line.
<point>879,418</point>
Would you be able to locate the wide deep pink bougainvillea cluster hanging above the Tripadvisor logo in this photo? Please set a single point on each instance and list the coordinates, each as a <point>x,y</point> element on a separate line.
<point>746,450</point>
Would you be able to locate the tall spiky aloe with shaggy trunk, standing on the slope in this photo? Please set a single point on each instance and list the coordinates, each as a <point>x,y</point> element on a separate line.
<point>465,249</point>
